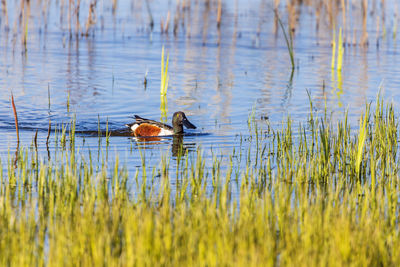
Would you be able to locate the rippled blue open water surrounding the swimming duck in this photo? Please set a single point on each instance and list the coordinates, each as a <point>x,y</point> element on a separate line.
<point>217,76</point>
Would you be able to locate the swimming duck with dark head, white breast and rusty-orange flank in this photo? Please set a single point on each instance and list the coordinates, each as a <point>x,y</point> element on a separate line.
<point>145,127</point>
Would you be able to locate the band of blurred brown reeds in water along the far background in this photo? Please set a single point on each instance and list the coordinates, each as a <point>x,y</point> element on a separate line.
<point>363,23</point>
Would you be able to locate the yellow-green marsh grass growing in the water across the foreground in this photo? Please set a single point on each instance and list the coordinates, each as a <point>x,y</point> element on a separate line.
<point>320,194</point>
